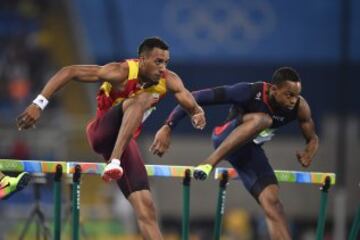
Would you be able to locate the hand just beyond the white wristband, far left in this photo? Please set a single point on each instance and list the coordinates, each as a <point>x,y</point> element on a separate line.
<point>29,117</point>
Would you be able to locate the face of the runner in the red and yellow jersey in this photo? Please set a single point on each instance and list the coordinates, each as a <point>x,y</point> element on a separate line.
<point>153,64</point>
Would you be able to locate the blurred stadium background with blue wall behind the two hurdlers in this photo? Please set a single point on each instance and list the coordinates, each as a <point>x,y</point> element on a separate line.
<point>211,43</point>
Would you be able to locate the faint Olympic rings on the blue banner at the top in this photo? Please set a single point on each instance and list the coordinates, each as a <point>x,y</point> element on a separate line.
<point>230,26</point>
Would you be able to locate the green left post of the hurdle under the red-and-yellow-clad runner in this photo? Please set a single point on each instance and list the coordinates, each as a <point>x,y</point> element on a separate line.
<point>76,203</point>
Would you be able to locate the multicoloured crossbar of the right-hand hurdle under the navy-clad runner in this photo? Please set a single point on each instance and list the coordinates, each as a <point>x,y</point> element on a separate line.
<point>287,176</point>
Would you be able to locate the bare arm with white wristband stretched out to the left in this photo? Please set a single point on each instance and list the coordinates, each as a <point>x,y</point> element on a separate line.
<point>113,72</point>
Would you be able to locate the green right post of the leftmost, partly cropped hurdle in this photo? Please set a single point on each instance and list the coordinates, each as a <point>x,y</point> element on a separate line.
<point>57,205</point>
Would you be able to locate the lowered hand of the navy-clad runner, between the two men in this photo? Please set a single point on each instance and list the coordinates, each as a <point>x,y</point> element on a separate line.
<point>161,141</point>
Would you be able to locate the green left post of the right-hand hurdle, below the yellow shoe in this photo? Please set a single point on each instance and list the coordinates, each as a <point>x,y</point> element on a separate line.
<point>220,205</point>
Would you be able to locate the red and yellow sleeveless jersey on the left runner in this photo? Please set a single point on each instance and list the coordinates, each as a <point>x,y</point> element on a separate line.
<point>108,96</point>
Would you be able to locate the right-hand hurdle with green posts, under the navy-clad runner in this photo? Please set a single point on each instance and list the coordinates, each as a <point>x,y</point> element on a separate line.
<point>325,178</point>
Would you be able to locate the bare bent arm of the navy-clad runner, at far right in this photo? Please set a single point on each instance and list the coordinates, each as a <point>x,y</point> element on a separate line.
<point>308,129</point>
